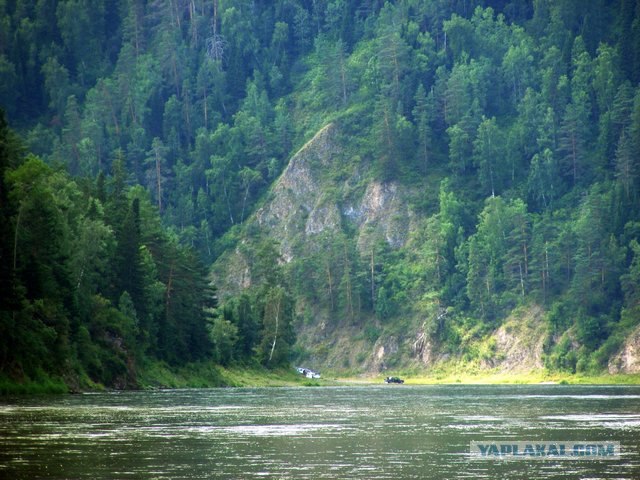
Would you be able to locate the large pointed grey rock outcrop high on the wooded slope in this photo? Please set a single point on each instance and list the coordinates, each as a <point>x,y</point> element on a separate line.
<point>308,201</point>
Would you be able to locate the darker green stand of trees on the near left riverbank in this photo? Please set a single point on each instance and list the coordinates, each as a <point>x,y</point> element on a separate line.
<point>93,289</point>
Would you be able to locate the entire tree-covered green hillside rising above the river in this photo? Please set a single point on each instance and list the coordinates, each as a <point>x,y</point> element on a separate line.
<point>507,131</point>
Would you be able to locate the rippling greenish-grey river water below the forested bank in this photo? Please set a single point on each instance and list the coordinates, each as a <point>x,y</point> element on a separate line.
<point>367,432</point>
